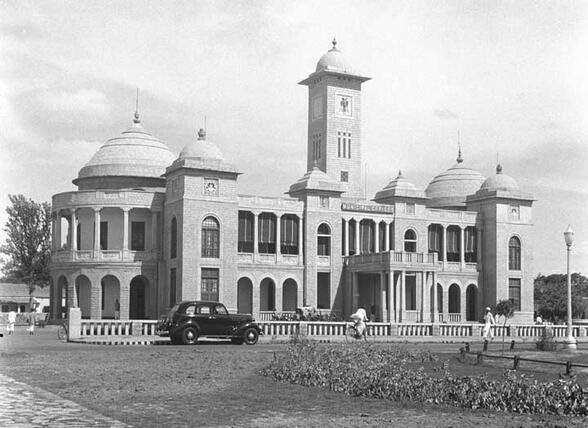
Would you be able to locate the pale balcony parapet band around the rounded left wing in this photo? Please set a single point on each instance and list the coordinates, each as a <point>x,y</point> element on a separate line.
<point>102,256</point>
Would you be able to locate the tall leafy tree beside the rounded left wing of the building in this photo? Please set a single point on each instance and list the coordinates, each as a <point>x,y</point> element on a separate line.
<point>28,244</point>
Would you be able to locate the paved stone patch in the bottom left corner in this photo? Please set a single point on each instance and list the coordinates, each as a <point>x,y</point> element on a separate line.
<point>23,406</point>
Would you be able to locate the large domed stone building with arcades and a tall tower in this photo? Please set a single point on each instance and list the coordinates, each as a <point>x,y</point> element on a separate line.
<point>146,229</point>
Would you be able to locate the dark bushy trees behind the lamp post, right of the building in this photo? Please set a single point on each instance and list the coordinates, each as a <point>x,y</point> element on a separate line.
<point>551,296</point>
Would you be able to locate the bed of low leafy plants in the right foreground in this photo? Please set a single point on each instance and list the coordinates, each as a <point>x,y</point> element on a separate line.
<point>418,376</point>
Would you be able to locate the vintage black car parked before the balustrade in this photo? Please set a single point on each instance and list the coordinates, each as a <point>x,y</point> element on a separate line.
<point>189,320</point>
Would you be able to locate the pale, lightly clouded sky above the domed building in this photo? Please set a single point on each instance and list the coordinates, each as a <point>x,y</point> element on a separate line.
<point>511,77</point>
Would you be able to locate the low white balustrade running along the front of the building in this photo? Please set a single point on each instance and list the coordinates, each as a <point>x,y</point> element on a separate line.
<point>323,329</point>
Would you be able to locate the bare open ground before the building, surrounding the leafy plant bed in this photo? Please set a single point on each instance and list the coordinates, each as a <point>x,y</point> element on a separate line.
<point>213,385</point>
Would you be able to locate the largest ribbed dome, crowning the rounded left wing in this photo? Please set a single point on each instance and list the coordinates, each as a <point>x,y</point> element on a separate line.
<point>134,153</point>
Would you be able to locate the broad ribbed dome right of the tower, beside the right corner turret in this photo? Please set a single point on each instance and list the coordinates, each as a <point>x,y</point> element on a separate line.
<point>450,188</point>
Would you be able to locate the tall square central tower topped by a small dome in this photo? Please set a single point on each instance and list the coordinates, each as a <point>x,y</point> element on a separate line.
<point>334,121</point>
